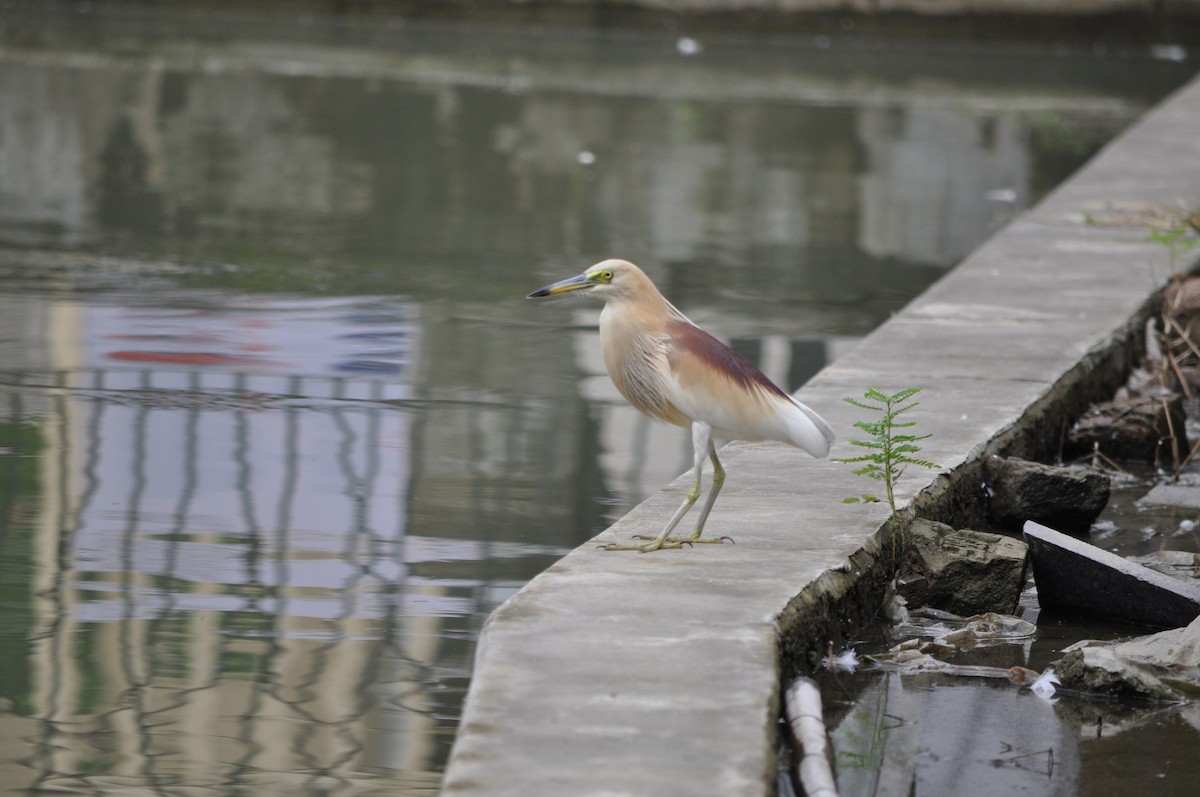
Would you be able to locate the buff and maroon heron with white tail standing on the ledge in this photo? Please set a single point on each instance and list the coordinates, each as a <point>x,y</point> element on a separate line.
<point>675,373</point>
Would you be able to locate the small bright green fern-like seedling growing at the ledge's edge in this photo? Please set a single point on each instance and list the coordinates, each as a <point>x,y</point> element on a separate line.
<point>890,452</point>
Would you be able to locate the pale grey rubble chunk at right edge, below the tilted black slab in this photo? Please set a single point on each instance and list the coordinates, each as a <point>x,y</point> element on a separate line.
<point>1160,667</point>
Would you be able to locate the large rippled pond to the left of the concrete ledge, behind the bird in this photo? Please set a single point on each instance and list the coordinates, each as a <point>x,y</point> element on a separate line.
<point>278,430</point>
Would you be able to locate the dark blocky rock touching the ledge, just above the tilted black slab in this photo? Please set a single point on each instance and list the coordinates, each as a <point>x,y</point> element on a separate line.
<point>1061,498</point>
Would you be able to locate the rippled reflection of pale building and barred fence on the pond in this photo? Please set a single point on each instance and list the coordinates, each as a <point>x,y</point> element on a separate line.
<point>239,568</point>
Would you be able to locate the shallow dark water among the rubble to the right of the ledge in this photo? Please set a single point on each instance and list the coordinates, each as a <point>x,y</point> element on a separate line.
<point>922,734</point>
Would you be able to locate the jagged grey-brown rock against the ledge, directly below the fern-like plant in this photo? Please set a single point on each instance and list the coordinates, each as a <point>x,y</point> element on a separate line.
<point>963,572</point>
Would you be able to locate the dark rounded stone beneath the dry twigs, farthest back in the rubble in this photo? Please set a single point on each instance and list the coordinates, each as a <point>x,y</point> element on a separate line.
<point>1149,429</point>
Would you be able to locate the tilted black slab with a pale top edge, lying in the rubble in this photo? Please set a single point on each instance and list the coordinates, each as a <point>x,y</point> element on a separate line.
<point>1072,574</point>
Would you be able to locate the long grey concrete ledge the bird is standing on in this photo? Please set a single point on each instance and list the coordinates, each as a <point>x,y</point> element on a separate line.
<point>625,674</point>
